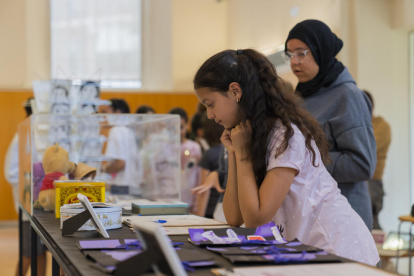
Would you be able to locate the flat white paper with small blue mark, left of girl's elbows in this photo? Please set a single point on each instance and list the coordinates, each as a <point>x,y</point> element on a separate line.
<point>180,220</point>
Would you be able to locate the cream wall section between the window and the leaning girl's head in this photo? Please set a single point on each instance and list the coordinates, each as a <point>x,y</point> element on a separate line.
<point>200,30</point>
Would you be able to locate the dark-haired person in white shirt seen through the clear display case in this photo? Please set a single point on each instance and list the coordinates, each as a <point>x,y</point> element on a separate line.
<point>122,148</point>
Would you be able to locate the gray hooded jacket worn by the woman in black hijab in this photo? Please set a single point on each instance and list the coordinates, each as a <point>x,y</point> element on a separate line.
<point>344,113</point>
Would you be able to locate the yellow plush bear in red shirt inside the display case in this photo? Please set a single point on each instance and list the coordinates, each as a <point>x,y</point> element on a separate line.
<point>56,165</point>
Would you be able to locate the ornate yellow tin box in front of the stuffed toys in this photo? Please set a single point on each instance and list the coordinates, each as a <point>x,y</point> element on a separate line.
<point>66,192</point>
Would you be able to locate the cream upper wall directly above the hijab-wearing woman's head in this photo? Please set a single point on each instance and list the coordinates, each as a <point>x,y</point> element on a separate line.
<point>264,24</point>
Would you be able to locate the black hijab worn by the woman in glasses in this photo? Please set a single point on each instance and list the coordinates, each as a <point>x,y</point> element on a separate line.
<point>324,46</point>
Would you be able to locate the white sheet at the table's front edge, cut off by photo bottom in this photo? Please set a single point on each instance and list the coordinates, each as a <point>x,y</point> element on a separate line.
<point>342,269</point>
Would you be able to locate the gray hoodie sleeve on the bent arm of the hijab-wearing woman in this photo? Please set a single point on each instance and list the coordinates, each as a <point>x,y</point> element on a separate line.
<point>352,138</point>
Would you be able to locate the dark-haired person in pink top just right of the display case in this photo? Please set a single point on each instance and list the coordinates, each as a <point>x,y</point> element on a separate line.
<point>190,157</point>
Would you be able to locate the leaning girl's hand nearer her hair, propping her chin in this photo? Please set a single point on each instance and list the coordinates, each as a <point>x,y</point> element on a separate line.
<point>241,136</point>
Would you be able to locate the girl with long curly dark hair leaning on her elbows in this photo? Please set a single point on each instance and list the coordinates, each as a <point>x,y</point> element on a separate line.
<point>276,155</point>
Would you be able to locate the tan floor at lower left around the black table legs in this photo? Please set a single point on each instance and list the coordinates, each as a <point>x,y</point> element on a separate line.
<point>9,251</point>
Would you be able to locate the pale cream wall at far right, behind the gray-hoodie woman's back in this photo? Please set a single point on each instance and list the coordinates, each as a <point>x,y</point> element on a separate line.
<point>383,70</point>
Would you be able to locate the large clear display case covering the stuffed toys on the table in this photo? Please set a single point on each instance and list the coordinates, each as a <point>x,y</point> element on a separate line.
<point>133,154</point>
